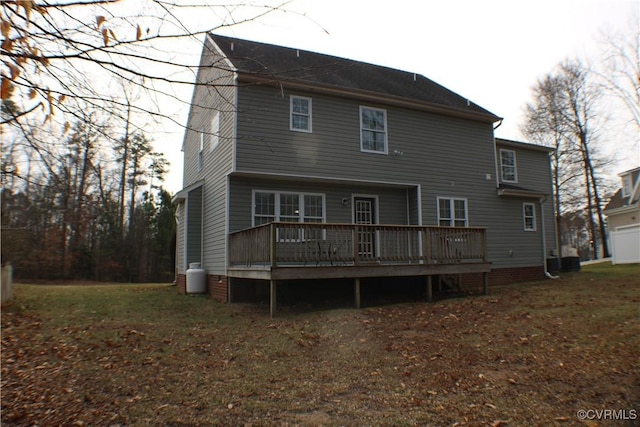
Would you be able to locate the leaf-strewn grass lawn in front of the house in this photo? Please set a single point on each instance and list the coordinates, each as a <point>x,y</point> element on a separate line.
<point>527,354</point>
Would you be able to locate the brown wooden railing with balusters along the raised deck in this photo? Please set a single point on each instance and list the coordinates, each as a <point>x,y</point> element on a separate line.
<point>322,244</point>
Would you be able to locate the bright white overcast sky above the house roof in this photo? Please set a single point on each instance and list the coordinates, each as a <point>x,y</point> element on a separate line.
<point>491,51</point>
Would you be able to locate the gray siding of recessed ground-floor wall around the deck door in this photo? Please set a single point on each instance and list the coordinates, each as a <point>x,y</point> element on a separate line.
<point>392,202</point>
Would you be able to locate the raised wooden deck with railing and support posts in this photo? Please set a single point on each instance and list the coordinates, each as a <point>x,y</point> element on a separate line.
<point>287,250</point>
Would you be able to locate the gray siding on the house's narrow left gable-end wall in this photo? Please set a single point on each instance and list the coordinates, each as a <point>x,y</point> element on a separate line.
<point>217,162</point>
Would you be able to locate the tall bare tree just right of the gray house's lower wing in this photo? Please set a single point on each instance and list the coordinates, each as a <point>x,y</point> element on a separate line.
<point>565,115</point>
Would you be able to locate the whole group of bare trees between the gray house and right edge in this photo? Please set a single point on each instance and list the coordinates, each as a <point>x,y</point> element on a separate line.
<point>574,110</point>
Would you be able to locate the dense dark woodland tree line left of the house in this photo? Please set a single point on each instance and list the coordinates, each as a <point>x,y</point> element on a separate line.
<point>82,204</point>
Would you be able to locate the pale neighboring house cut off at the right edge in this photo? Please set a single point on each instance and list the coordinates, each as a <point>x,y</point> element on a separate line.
<point>623,219</point>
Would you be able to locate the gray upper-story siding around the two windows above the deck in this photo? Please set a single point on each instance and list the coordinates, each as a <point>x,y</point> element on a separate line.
<point>428,143</point>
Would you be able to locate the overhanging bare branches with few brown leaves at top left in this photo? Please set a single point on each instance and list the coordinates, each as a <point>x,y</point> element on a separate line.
<point>55,51</point>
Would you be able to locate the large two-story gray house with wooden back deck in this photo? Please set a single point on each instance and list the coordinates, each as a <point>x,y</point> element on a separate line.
<point>299,165</point>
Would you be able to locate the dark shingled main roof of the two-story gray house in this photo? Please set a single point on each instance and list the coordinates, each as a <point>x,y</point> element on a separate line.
<point>285,64</point>
